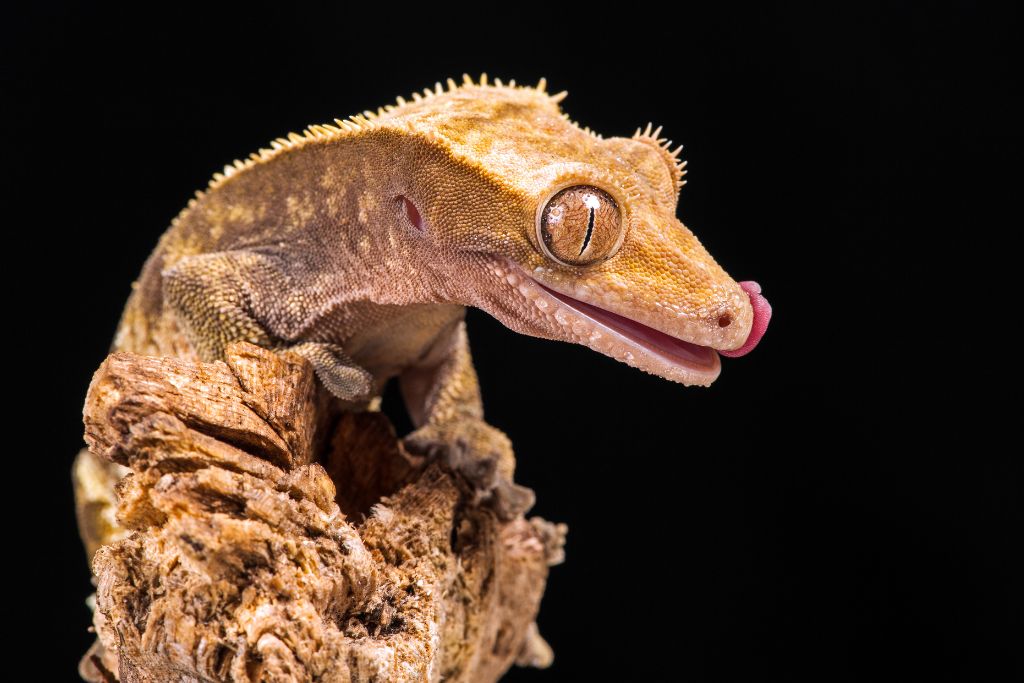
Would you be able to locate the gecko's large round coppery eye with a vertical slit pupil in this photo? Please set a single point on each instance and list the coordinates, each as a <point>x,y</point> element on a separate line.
<point>580,226</point>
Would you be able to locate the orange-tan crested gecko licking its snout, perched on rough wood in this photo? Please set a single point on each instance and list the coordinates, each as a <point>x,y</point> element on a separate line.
<point>360,244</point>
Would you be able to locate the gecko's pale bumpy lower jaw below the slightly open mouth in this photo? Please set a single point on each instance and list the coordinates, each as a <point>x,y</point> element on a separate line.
<point>620,337</point>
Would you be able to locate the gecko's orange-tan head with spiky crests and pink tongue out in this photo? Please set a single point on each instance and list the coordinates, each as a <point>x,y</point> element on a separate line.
<point>570,236</point>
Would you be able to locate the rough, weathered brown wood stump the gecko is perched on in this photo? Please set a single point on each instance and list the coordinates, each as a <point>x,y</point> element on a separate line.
<point>273,541</point>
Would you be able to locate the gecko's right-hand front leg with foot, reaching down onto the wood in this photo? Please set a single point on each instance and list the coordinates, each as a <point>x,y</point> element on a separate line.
<point>443,397</point>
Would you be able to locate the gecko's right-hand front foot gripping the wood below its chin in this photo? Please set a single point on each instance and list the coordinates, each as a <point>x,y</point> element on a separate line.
<point>482,456</point>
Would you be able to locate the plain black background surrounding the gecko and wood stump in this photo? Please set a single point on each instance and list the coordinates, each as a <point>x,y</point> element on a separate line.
<point>839,506</point>
